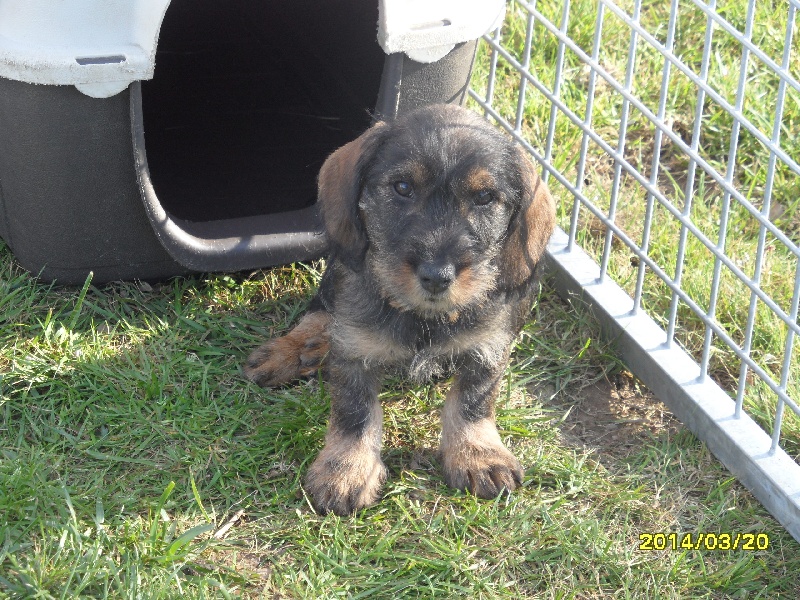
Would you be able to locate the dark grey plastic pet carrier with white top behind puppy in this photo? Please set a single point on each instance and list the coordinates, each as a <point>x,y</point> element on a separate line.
<point>149,138</point>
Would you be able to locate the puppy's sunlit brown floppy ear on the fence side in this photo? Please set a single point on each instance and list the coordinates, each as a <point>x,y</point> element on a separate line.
<point>530,229</point>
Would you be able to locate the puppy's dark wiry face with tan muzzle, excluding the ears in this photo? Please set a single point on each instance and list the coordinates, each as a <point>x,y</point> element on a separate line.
<point>437,201</point>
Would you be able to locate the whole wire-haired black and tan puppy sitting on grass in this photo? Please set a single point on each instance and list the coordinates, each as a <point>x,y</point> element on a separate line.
<point>436,223</point>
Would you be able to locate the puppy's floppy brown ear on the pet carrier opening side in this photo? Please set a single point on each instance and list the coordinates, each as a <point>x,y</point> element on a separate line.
<point>340,182</point>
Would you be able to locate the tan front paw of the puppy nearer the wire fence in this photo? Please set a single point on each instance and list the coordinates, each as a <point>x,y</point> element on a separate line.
<point>484,470</point>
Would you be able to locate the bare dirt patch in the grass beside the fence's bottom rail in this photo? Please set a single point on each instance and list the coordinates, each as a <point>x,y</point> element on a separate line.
<point>614,417</point>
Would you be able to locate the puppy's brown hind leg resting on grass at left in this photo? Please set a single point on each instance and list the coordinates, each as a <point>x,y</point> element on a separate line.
<point>297,354</point>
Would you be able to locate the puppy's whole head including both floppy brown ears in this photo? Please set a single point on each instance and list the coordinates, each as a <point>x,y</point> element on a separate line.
<point>439,206</point>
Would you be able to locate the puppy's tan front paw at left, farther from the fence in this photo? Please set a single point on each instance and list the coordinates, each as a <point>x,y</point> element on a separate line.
<point>344,479</point>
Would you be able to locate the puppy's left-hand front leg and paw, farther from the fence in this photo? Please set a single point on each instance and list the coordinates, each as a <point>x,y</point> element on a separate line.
<point>348,473</point>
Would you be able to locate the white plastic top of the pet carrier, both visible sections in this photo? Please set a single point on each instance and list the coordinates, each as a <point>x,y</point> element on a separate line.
<point>101,46</point>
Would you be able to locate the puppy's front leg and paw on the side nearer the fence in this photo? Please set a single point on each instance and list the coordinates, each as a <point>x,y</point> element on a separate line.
<point>473,455</point>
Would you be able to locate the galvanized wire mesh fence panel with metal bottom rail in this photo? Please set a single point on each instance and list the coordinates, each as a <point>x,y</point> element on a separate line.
<point>670,134</point>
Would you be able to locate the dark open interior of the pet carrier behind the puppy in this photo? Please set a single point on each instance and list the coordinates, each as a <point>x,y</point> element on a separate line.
<point>250,97</point>
